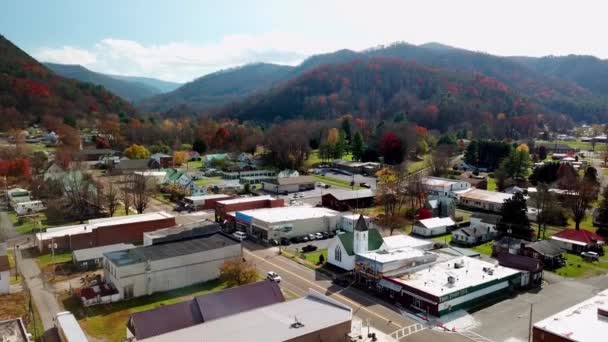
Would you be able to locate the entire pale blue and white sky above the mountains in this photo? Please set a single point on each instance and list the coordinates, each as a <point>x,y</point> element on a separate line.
<point>180,40</point>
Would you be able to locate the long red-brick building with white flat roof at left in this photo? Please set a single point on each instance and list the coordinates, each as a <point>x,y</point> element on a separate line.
<point>102,232</point>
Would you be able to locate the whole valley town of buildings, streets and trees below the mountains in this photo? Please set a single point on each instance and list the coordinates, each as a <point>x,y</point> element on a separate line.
<point>169,246</point>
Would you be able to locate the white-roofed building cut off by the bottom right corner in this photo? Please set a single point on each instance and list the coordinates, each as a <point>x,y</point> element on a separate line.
<point>584,322</point>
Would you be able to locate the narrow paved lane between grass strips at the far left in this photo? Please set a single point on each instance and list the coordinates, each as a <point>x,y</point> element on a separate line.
<point>41,293</point>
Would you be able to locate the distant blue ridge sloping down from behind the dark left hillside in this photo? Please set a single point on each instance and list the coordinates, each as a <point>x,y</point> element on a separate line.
<point>128,90</point>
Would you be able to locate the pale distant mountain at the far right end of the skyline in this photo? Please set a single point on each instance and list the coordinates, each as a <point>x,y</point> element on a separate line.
<point>587,71</point>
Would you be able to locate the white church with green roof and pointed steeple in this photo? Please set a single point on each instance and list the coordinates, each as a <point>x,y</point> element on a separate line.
<point>342,249</point>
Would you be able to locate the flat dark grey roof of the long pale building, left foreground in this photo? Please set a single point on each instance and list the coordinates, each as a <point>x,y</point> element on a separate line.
<point>170,250</point>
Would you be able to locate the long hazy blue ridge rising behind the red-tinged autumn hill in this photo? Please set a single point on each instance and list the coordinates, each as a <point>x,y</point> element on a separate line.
<point>554,92</point>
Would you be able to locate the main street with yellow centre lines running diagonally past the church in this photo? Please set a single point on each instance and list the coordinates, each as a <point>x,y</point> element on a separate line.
<point>298,279</point>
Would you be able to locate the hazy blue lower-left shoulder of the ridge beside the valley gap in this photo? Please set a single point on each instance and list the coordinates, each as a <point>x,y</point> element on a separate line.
<point>219,88</point>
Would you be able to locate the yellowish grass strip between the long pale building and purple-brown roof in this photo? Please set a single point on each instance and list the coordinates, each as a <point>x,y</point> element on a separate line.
<point>108,322</point>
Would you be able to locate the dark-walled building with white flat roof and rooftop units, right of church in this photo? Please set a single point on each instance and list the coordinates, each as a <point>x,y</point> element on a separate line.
<point>450,285</point>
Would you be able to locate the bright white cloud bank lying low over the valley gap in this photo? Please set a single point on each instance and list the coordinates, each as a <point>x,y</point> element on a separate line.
<point>184,61</point>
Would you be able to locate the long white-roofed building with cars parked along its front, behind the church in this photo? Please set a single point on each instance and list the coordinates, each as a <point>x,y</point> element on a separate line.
<point>286,222</point>
